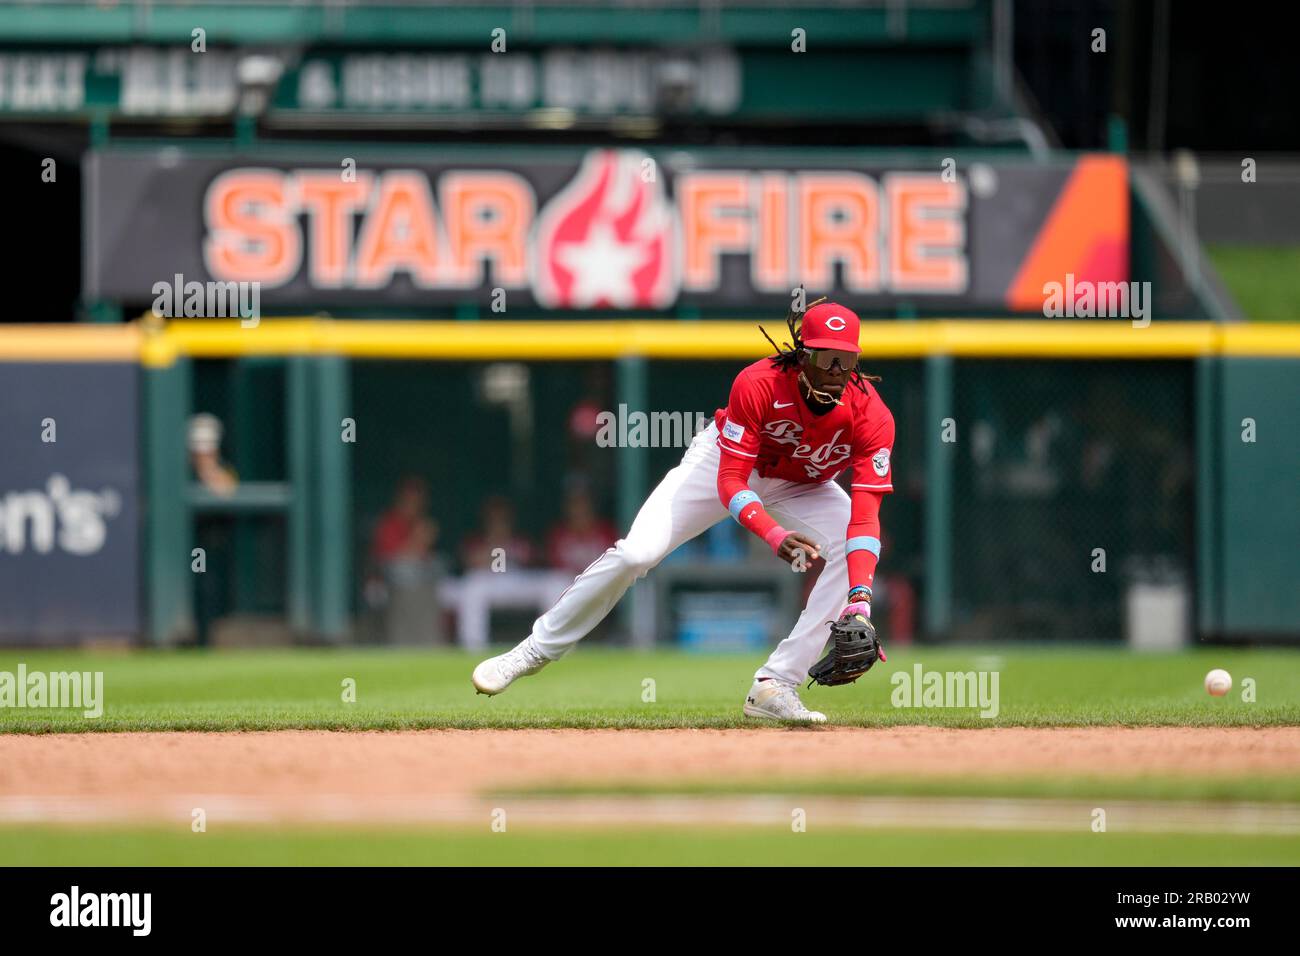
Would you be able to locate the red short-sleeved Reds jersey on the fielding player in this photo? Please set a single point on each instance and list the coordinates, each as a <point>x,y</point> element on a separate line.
<point>768,421</point>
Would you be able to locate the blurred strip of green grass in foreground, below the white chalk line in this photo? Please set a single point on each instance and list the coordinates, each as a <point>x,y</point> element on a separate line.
<point>727,847</point>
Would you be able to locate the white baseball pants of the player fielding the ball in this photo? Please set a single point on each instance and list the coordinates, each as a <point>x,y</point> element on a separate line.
<point>684,505</point>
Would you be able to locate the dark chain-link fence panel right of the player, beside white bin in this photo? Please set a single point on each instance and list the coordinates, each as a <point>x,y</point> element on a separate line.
<point>1073,486</point>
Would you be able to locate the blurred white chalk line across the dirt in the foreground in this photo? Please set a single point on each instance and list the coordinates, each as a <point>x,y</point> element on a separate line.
<point>894,814</point>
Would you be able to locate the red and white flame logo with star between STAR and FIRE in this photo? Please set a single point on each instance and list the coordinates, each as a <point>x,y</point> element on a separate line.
<point>609,239</point>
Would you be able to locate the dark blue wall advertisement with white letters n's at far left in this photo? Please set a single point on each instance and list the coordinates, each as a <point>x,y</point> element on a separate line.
<point>70,488</point>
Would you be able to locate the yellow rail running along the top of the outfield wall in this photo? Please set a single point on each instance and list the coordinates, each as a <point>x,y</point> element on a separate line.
<point>161,345</point>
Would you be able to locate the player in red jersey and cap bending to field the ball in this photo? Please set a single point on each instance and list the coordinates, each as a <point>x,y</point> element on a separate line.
<point>794,422</point>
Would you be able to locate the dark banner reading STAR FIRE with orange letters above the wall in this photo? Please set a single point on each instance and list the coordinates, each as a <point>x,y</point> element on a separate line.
<point>608,230</point>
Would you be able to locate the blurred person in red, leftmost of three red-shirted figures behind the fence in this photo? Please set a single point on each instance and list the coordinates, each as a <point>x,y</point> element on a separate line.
<point>409,570</point>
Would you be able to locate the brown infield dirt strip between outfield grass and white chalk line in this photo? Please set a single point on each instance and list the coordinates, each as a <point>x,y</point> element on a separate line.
<point>432,776</point>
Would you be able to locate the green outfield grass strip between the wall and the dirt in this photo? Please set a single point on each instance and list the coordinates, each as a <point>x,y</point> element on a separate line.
<point>599,687</point>
